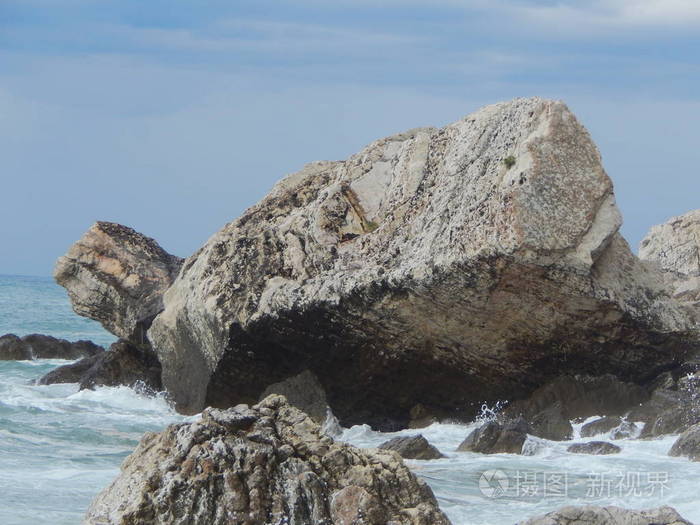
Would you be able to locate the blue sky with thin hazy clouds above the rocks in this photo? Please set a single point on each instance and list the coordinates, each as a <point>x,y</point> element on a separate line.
<point>174,116</point>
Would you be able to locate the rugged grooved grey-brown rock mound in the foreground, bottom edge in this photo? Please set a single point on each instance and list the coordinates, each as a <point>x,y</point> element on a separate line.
<point>265,464</point>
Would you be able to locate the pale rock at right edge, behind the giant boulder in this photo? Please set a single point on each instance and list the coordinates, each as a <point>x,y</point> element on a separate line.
<point>675,248</point>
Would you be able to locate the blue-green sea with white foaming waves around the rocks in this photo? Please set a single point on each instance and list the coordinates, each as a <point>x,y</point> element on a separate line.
<point>59,446</point>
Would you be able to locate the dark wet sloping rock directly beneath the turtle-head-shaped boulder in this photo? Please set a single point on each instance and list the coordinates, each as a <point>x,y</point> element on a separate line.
<point>124,364</point>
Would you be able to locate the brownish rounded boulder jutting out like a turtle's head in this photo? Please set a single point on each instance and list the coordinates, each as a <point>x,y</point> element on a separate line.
<point>117,276</point>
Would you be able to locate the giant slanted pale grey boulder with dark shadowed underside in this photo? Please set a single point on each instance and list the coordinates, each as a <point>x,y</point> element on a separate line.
<point>422,270</point>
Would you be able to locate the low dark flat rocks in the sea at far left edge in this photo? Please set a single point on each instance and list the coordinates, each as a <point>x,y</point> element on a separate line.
<point>38,346</point>
